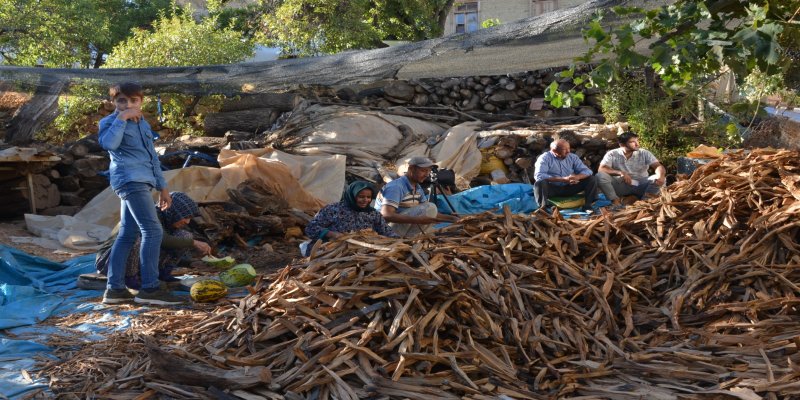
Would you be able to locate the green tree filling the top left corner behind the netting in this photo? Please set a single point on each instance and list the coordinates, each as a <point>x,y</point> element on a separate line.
<point>57,33</point>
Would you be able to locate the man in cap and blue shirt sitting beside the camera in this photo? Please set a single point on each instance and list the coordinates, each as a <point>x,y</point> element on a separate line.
<point>403,202</point>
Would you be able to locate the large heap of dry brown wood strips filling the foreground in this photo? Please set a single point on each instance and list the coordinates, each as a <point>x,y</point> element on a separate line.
<point>688,296</point>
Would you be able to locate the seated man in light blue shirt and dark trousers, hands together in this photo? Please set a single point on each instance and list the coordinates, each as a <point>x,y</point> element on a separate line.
<point>561,173</point>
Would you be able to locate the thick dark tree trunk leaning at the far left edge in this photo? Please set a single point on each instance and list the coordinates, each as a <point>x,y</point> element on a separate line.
<point>37,113</point>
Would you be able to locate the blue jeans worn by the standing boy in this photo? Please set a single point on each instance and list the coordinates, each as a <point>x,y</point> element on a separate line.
<point>137,214</point>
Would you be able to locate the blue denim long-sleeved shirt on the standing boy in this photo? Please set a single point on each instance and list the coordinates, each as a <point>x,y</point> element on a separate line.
<point>133,155</point>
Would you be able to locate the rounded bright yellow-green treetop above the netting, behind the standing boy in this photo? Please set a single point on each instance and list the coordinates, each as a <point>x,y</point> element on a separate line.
<point>179,40</point>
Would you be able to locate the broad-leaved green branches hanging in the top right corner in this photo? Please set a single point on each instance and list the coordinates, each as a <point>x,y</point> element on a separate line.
<point>692,41</point>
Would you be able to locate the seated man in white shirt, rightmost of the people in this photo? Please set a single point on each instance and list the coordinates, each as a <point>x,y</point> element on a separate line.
<point>625,171</point>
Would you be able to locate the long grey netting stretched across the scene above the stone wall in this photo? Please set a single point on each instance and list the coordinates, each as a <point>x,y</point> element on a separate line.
<point>553,40</point>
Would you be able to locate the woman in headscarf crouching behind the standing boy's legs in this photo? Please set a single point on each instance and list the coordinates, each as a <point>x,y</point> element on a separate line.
<point>176,244</point>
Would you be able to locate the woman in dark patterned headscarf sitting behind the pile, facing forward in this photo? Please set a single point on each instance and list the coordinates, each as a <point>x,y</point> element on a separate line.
<point>353,213</point>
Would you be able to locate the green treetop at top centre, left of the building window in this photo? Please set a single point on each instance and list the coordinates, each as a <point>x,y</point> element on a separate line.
<point>312,27</point>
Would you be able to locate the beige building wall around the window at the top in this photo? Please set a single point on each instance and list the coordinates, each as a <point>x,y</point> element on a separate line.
<point>508,10</point>
